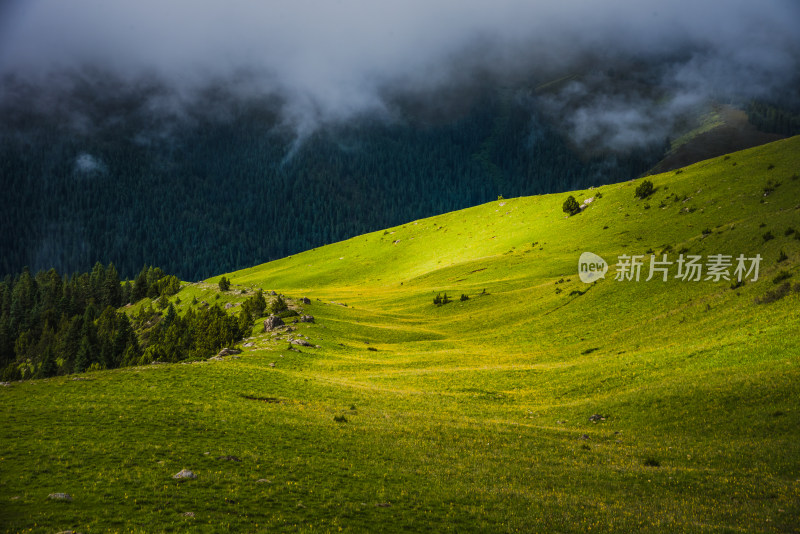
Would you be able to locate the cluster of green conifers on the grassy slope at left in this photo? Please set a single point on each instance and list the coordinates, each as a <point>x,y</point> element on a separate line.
<point>54,325</point>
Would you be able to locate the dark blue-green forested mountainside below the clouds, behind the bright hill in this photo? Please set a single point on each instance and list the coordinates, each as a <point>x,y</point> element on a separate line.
<point>219,195</point>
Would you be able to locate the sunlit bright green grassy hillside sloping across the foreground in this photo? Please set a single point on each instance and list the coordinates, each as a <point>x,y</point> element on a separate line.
<point>471,416</point>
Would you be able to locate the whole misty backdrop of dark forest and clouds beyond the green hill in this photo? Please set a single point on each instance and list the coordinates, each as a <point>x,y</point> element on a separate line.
<point>205,138</point>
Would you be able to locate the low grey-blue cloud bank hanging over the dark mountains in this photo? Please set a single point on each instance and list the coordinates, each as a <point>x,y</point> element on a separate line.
<point>331,61</point>
